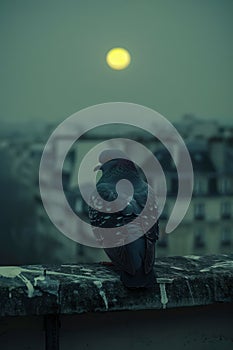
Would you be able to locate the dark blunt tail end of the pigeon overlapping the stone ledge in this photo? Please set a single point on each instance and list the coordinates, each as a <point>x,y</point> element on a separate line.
<point>139,279</point>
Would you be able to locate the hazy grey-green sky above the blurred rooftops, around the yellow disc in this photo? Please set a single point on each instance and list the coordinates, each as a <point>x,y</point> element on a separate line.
<point>52,59</point>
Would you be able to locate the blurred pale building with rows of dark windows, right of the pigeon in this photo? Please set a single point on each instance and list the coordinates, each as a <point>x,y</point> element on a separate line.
<point>207,227</point>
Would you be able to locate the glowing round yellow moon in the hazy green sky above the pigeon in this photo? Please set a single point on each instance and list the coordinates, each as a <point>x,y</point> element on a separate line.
<point>118,58</point>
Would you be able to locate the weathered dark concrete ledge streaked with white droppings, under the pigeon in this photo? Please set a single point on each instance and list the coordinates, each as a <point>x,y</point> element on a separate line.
<point>74,289</point>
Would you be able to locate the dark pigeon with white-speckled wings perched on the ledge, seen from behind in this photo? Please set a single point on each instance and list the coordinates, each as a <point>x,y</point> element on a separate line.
<point>133,260</point>
